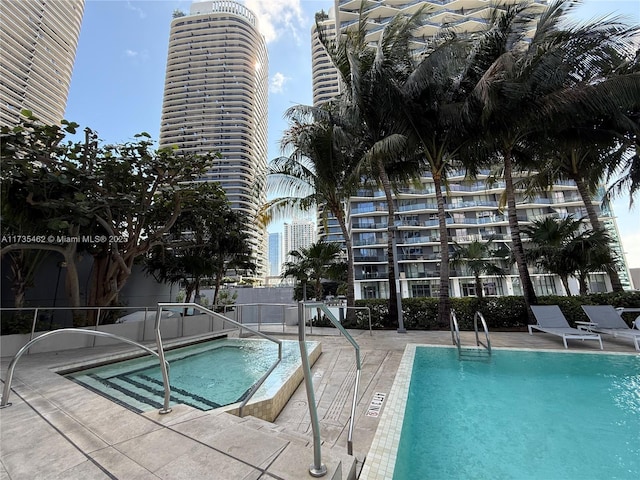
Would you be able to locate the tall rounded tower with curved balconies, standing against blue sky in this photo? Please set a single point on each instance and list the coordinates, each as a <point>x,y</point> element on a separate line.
<point>215,100</point>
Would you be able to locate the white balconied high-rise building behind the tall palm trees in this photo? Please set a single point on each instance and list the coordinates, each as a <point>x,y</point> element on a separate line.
<point>472,206</point>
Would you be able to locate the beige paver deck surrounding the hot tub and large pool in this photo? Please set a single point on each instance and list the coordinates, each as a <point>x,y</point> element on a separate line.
<point>56,429</point>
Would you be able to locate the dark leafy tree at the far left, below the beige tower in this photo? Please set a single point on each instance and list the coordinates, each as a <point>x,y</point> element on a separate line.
<point>44,195</point>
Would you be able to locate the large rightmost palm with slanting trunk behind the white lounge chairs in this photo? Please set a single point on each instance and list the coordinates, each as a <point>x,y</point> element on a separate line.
<point>550,80</point>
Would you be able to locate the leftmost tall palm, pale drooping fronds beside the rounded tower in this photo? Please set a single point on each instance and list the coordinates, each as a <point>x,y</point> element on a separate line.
<point>319,171</point>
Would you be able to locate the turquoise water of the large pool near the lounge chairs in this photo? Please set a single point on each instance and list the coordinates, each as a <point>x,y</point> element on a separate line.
<point>521,415</point>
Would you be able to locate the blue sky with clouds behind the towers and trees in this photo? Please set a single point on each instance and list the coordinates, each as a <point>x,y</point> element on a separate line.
<point>118,76</point>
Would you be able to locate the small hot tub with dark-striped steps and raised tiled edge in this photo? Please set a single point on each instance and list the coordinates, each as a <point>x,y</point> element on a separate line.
<point>205,376</point>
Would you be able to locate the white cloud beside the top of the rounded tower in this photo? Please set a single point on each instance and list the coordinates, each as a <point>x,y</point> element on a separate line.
<point>278,18</point>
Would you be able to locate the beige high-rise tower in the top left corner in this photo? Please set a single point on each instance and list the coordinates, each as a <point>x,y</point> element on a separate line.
<point>38,39</point>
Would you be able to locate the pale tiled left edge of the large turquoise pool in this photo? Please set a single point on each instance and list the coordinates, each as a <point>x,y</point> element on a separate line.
<point>381,459</point>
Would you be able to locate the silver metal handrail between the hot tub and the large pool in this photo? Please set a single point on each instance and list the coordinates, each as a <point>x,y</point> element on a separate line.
<point>318,469</point>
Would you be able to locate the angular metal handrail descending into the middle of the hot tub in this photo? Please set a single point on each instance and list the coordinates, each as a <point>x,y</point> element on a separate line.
<point>195,306</point>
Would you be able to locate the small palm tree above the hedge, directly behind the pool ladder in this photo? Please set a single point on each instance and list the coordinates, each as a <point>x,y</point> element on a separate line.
<point>480,258</point>
